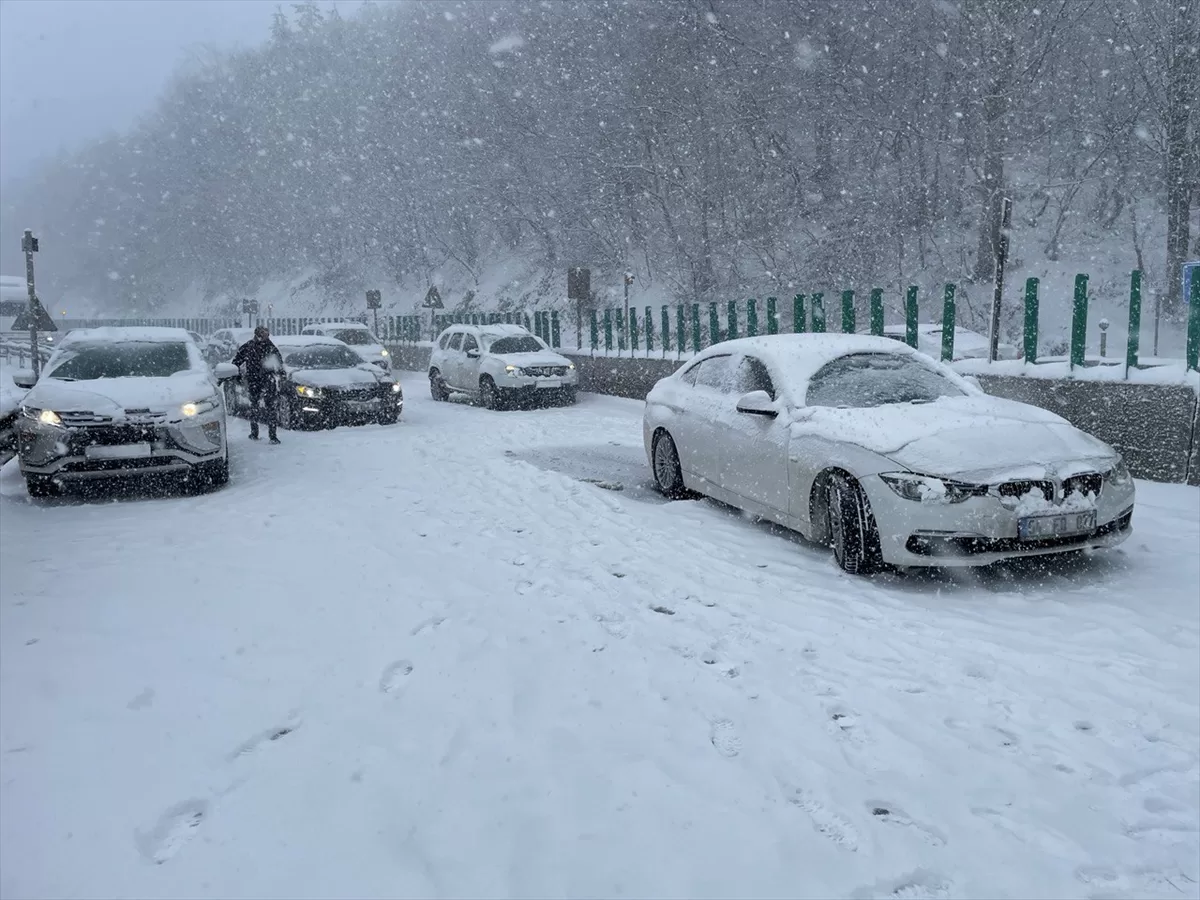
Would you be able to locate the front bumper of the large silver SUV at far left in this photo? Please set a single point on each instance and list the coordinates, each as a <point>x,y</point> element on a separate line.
<point>118,451</point>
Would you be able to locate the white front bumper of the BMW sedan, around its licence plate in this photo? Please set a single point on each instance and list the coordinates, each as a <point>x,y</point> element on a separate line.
<point>982,530</point>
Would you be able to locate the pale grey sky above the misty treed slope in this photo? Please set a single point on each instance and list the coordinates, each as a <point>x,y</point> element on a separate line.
<point>74,70</point>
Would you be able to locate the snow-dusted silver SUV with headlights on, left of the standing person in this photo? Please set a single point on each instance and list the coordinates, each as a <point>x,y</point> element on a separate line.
<point>119,403</point>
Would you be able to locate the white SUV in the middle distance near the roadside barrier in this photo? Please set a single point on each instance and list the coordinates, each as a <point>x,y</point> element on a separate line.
<point>501,365</point>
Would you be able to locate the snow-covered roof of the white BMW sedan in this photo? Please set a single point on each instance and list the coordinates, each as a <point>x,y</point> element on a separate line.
<point>794,359</point>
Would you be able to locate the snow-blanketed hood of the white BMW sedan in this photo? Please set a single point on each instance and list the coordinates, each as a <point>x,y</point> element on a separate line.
<point>973,436</point>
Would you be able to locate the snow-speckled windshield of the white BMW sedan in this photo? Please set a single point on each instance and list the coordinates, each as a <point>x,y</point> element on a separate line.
<point>874,380</point>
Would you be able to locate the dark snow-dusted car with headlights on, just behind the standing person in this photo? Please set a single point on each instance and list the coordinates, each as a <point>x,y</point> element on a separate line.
<point>326,385</point>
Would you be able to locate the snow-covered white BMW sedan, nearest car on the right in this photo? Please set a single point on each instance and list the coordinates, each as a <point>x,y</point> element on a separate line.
<point>885,454</point>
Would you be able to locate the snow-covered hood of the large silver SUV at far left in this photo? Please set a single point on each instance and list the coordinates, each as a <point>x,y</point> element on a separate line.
<point>113,397</point>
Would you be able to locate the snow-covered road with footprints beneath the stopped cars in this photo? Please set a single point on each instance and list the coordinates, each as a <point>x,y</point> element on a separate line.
<point>448,659</point>
